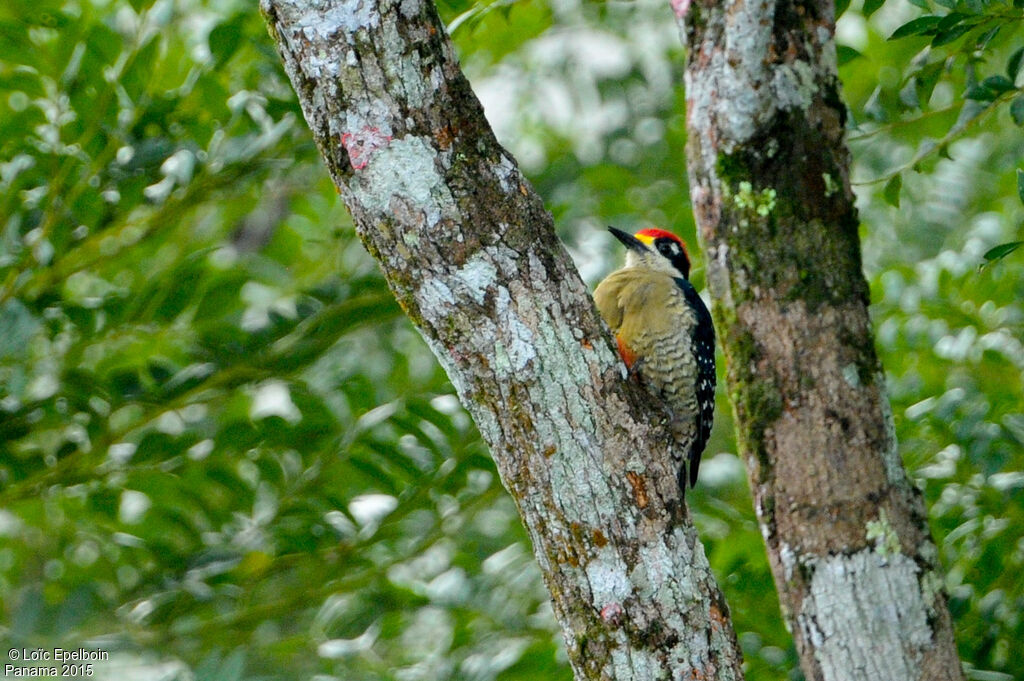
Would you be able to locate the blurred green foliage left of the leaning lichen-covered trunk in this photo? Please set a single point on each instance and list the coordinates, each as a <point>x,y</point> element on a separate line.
<point>225,454</point>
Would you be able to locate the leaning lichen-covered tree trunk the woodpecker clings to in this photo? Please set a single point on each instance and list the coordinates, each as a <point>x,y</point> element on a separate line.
<point>472,257</point>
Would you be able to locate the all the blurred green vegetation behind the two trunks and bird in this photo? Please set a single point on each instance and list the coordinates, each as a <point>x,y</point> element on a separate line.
<point>226,455</point>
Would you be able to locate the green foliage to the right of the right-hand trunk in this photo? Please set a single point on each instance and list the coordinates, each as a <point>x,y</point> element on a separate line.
<point>949,326</point>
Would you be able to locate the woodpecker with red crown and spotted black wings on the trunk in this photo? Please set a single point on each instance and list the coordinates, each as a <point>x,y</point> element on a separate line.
<point>665,334</point>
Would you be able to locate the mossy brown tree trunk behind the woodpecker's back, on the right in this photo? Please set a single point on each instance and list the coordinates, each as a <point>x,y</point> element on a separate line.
<point>847,533</point>
